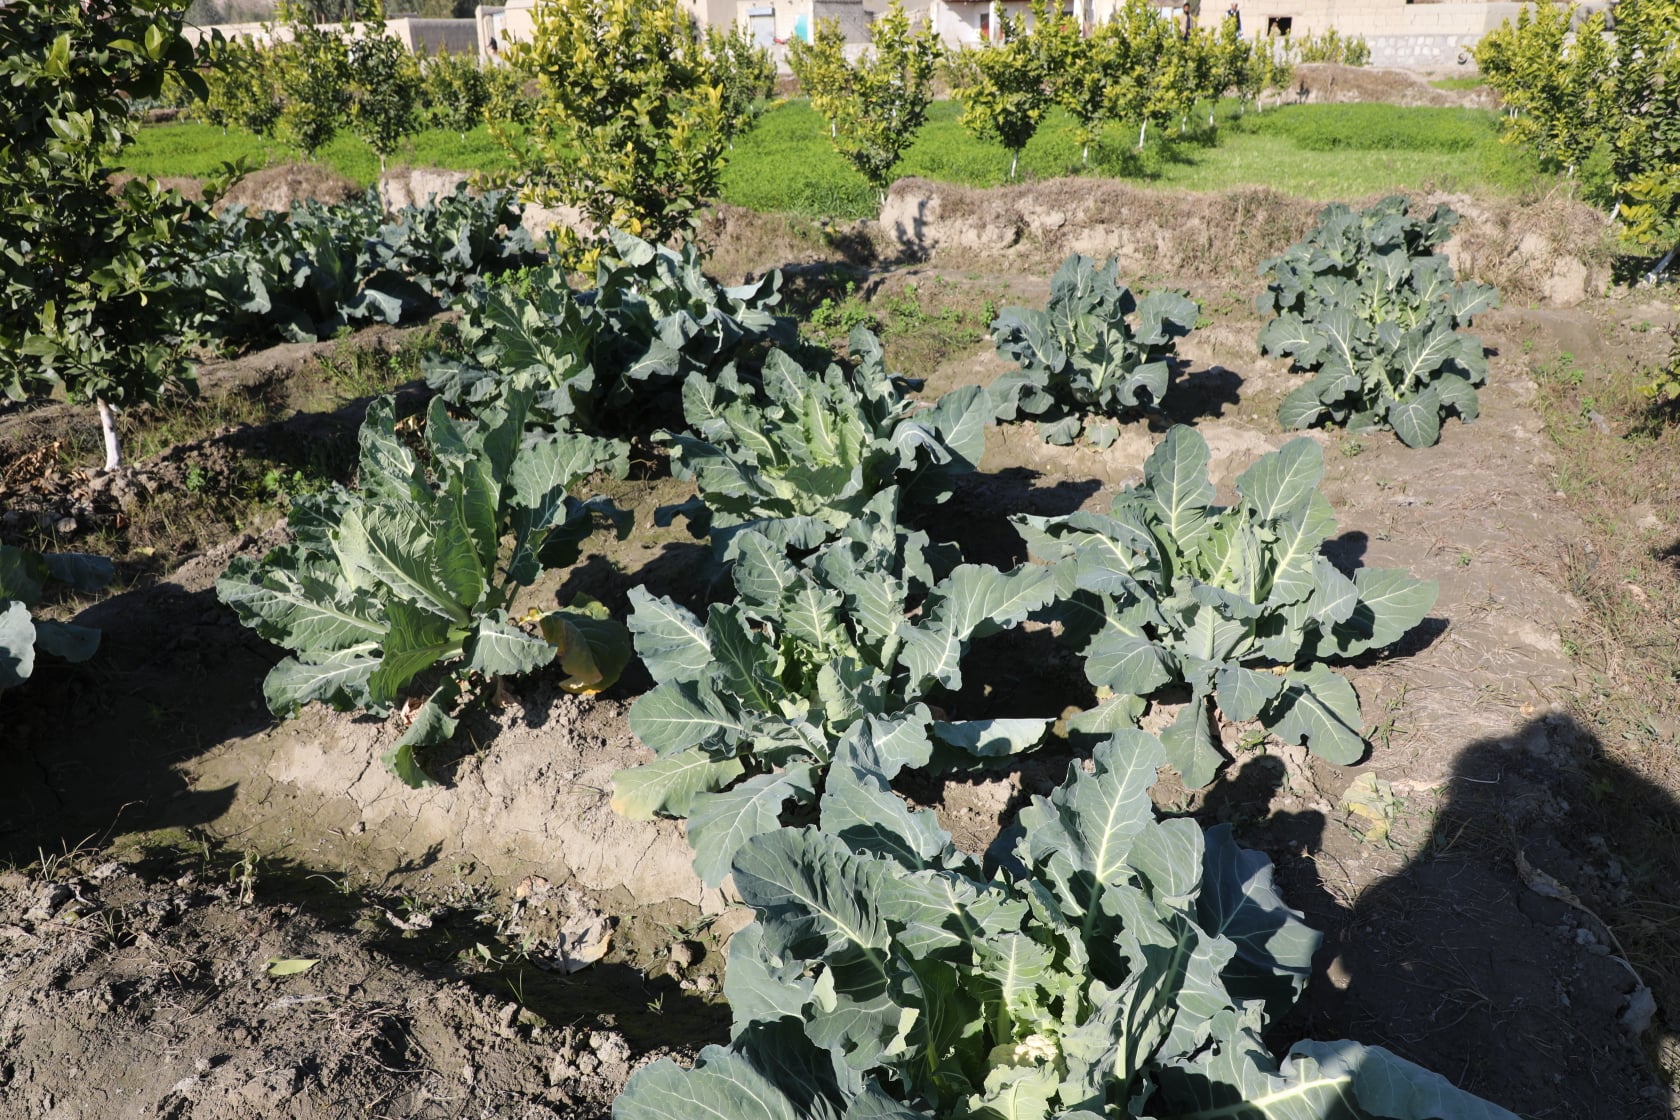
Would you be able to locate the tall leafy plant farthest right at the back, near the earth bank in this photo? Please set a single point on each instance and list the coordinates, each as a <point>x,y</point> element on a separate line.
<point>1373,311</point>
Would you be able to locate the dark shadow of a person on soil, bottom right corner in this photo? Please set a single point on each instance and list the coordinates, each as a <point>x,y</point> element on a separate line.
<point>1509,953</point>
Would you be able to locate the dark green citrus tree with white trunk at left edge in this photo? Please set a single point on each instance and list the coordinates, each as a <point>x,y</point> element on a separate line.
<point>87,305</point>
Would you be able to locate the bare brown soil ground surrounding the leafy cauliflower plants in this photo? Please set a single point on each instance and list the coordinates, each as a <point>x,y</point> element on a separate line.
<point>1471,876</point>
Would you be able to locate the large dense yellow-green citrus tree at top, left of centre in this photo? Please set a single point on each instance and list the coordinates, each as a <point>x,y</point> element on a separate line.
<point>631,122</point>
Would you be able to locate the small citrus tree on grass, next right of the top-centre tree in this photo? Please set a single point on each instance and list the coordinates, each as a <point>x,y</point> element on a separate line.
<point>1005,90</point>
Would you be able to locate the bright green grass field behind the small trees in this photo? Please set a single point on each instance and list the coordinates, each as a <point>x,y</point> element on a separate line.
<point>787,164</point>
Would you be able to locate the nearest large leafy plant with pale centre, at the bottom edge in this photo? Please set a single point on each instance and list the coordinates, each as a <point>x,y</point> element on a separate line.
<point>1126,966</point>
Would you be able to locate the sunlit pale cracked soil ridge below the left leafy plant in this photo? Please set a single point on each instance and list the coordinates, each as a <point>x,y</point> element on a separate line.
<point>538,802</point>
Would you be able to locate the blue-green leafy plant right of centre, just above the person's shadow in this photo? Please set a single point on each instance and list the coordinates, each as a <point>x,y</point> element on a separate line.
<point>1239,604</point>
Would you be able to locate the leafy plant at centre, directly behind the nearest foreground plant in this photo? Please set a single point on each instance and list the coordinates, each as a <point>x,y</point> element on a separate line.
<point>752,699</point>
